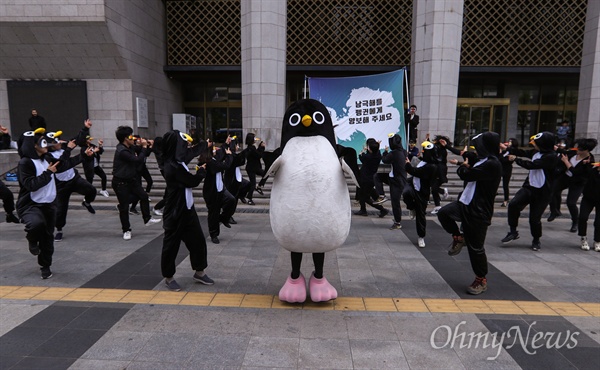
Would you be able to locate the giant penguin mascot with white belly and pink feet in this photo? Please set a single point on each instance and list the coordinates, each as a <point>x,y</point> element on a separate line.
<point>310,204</point>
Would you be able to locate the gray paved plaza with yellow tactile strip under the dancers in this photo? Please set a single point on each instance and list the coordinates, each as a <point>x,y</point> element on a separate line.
<point>399,307</point>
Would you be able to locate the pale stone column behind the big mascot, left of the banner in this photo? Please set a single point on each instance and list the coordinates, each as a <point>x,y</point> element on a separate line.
<point>263,68</point>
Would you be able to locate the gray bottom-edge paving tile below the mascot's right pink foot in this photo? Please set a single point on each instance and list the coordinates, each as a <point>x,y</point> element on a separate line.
<point>325,354</point>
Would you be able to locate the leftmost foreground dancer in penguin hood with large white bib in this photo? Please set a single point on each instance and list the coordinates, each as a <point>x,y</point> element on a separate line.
<point>36,204</point>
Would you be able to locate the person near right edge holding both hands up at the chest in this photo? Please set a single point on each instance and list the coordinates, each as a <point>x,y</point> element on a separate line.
<point>572,174</point>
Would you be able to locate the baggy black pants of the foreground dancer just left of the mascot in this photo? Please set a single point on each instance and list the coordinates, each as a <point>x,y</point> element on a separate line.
<point>187,230</point>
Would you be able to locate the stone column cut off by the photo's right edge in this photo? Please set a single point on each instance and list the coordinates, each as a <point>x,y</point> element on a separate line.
<point>588,106</point>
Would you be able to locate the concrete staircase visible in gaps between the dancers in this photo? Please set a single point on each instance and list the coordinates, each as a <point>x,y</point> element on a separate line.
<point>454,185</point>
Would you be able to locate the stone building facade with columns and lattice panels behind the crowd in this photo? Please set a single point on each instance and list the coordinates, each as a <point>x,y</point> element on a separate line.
<point>510,66</point>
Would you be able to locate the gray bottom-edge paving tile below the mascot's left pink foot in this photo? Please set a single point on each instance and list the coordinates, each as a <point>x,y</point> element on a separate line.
<point>272,352</point>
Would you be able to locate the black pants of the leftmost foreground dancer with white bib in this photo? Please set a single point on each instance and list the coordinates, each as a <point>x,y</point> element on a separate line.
<point>39,220</point>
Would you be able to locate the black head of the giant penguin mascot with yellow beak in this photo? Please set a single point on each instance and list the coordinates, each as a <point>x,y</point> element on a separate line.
<point>307,117</point>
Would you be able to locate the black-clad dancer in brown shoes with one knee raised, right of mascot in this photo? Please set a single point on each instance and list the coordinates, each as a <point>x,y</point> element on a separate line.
<point>475,207</point>
